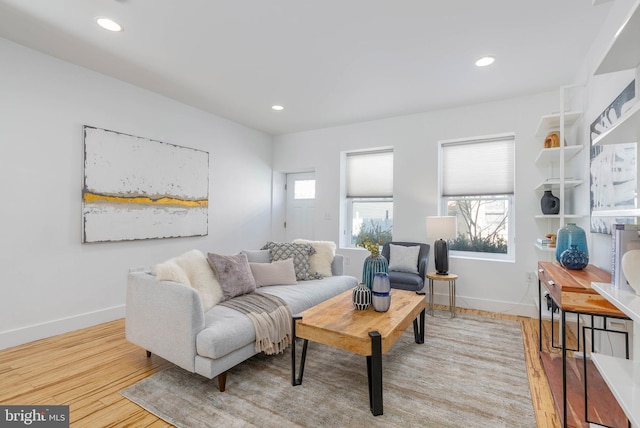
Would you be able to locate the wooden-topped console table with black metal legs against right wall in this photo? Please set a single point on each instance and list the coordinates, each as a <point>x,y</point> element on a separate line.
<point>572,293</point>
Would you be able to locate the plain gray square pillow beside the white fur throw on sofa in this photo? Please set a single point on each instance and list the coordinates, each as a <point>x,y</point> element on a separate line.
<point>234,274</point>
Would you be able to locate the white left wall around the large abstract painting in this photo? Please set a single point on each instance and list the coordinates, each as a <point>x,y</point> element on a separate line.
<point>52,283</point>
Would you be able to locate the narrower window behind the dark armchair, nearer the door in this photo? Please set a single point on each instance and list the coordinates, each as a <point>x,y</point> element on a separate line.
<point>369,193</point>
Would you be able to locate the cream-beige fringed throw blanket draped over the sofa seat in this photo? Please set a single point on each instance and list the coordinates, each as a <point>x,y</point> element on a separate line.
<point>271,318</point>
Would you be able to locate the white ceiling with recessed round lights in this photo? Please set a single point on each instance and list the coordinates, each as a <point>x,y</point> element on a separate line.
<point>328,62</point>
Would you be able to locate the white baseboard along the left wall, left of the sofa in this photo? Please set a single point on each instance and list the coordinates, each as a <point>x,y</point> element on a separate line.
<point>43,330</point>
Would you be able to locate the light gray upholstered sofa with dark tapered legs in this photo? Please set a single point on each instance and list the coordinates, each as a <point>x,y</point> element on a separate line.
<point>169,319</point>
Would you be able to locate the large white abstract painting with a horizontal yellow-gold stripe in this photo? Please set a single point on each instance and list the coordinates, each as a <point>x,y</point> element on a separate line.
<point>137,188</point>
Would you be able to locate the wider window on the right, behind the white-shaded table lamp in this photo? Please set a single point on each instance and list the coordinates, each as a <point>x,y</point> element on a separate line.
<point>477,187</point>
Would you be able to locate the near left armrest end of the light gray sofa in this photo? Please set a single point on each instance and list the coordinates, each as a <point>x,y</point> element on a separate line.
<point>164,318</point>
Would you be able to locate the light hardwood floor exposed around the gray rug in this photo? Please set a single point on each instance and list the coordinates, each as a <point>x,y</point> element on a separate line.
<point>87,368</point>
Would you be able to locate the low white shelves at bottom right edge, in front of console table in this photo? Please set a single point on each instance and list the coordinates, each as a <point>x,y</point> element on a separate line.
<point>622,376</point>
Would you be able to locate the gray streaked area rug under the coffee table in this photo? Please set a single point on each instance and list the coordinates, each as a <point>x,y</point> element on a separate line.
<point>470,372</point>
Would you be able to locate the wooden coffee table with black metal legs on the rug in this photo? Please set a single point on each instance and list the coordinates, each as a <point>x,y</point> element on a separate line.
<point>335,322</point>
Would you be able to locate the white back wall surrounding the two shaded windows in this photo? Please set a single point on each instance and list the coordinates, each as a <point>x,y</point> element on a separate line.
<point>488,285</point>
